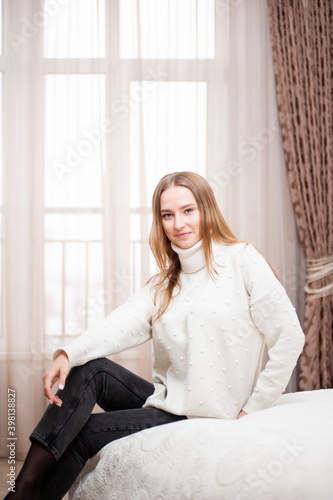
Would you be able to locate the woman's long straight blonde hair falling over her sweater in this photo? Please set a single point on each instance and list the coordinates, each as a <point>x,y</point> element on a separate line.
<point>212,227</point>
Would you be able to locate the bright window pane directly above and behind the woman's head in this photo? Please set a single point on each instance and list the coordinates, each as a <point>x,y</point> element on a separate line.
<point>170,121</point>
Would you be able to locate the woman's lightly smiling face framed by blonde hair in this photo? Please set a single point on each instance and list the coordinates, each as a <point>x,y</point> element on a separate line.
<point>180,216</point>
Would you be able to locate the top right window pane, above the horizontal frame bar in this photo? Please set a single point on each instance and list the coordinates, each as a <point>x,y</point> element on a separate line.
<point>169,29</point>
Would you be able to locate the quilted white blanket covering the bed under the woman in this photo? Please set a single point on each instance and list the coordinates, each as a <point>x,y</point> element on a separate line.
<point>284,452</point>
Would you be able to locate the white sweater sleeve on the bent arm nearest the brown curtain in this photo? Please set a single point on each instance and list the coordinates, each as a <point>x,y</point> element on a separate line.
<point>275,317</point>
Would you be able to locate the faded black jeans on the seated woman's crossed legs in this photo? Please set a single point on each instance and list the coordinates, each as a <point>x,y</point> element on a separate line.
<point>73,435</point>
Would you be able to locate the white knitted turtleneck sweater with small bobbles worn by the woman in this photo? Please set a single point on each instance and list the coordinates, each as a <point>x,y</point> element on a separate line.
<point>209,344</point>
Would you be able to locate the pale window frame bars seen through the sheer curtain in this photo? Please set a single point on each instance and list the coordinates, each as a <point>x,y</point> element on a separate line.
<point>115,210</point>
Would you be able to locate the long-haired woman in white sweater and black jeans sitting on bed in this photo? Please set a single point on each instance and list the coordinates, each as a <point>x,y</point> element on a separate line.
<point>214,305</point>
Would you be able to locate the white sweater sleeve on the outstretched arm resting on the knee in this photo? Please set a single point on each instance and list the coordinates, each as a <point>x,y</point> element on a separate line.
<point>127,326</point>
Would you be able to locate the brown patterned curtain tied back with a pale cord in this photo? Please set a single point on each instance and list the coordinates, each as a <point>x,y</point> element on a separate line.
<point>302,42</point>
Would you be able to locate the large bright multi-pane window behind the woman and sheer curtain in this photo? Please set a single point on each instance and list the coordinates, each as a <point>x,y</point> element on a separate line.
<point>101,130</point>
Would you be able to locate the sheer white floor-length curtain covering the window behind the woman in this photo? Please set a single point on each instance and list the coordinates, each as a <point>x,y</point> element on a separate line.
<point>102,98</point>
